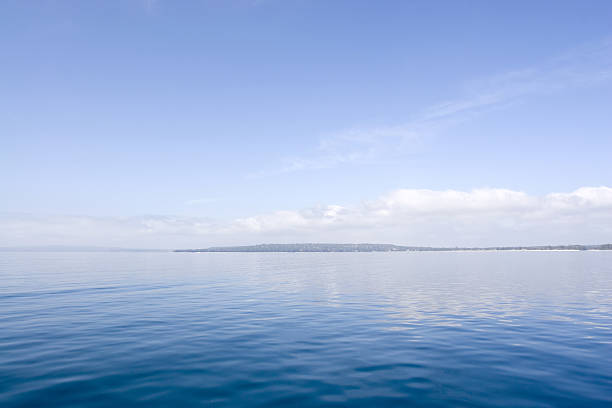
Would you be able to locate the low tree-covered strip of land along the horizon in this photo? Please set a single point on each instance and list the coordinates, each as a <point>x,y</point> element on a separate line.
<point>319,247</point>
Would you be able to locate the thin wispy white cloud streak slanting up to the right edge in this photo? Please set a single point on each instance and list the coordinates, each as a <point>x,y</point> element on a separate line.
<point>584,66</point>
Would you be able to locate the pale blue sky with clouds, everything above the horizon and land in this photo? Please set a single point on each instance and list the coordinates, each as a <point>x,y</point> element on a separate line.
<point>186,124</point>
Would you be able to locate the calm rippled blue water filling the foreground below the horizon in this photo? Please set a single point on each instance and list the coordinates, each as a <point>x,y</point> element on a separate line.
<point>348,330</point>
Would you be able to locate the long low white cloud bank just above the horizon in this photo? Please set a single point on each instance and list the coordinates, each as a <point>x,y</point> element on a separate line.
<point>487,216</point>
